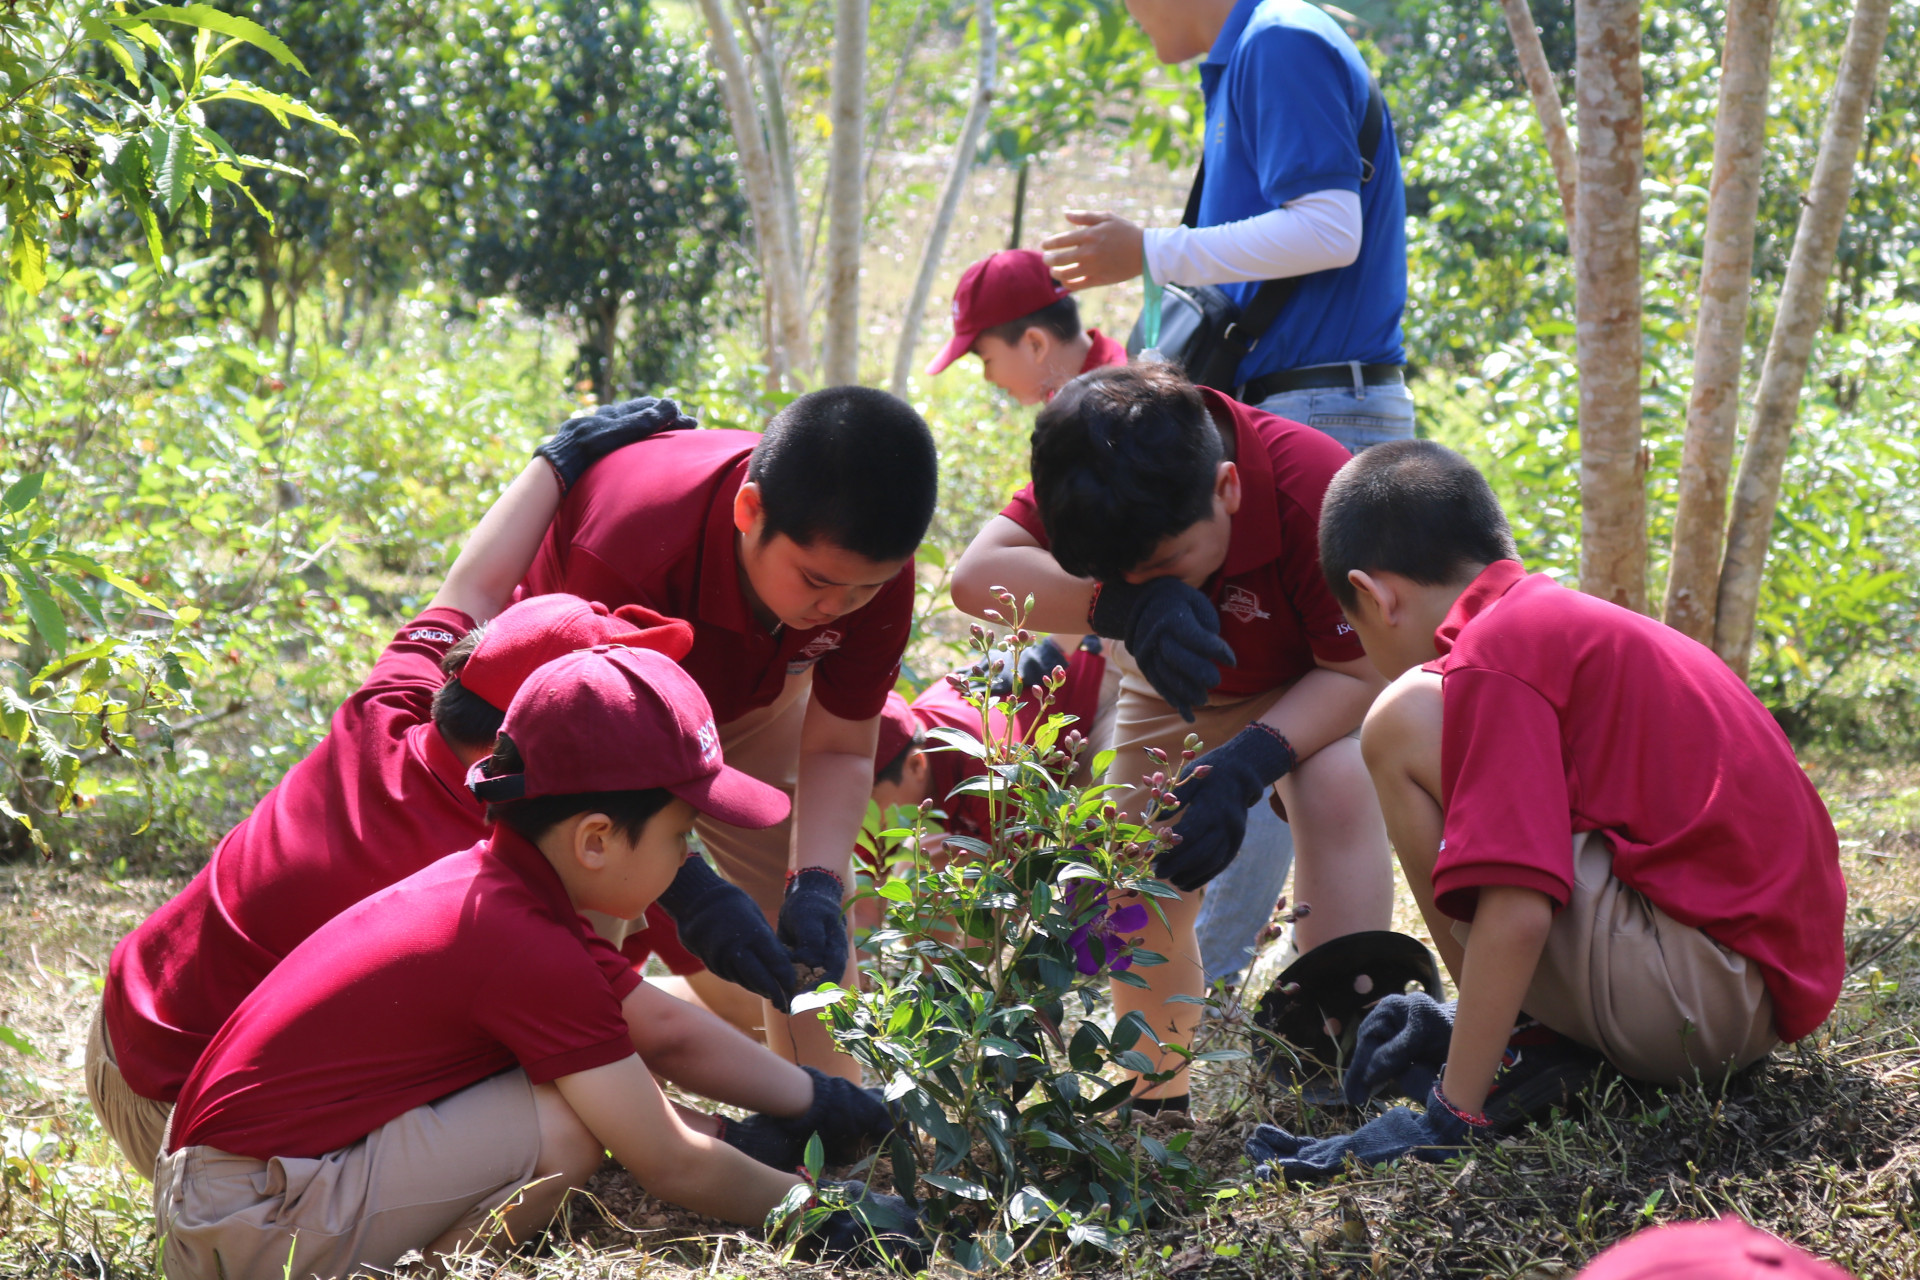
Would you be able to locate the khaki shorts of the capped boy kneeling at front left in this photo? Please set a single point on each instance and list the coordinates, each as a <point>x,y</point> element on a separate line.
<point>402,1187</point>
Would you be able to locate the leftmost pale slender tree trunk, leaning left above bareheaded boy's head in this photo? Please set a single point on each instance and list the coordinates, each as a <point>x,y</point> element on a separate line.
<point>775,235</point>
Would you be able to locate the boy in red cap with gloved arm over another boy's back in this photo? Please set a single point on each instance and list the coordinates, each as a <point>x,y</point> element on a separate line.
<point>381,797</point>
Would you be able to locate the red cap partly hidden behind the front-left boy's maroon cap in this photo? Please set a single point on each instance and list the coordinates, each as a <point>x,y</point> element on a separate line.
<point>546,627</point>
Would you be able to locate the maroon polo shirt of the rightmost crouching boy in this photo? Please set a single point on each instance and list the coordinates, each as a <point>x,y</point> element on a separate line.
<point>1564,713</point>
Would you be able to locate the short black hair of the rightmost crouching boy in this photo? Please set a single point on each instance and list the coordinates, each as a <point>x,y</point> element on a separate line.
<point>1410,508</point>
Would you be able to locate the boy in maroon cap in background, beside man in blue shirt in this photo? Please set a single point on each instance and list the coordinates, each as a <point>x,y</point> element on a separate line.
<point>1024,327</point>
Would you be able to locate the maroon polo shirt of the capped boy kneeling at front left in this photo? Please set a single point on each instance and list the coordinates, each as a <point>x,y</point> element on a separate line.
<point>468,968</point>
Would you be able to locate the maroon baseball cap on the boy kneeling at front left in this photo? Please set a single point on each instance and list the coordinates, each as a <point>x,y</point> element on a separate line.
<point>613,719</point>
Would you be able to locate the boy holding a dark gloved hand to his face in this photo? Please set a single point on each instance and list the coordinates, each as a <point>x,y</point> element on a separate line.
<point>1184,523</point>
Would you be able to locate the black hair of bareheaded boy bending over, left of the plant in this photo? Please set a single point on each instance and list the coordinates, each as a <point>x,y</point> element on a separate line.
<point>850,465</point>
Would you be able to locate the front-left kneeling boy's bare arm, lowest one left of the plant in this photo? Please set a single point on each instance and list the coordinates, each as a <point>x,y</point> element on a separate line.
<point>623,1106</point>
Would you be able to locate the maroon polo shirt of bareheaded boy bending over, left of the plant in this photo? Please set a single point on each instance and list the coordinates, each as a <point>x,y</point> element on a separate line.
<point>654,525</point>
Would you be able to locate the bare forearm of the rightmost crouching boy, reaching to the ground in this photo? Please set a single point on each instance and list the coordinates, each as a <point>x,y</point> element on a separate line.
<point>1510,930</point>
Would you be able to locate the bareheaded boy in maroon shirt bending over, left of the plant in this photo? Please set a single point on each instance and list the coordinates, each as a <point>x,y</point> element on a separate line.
<point>792,557</point>
